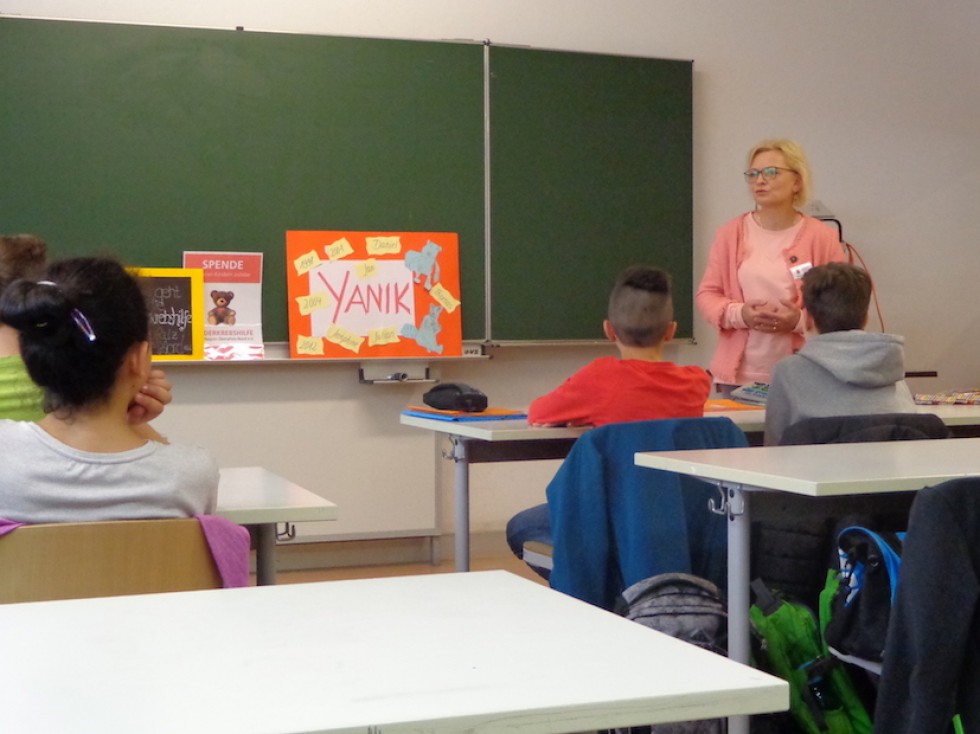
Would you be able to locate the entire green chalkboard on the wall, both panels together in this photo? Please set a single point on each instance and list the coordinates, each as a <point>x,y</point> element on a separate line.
<point>145,141</point>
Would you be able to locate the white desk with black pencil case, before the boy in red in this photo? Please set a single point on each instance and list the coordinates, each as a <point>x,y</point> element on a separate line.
<point>475,442</point>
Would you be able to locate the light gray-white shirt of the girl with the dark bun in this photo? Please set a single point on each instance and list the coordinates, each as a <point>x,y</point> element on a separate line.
<point>43,480</point>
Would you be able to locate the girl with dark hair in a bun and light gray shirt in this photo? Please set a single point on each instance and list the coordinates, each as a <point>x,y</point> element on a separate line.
<point>84,338</point>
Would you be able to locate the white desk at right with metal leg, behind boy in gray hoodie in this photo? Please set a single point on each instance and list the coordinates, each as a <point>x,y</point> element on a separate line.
<point>816,471</point>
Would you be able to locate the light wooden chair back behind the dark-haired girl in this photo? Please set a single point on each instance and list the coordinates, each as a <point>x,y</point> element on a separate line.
<point>89,559</point>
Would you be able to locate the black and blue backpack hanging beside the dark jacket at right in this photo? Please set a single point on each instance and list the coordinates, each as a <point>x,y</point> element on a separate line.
<point>861,600</point>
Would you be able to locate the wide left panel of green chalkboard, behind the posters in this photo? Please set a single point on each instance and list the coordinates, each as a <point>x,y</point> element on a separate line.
<point>148,141</point>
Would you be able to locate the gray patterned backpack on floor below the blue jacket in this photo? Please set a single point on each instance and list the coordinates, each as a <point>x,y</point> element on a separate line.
<point>689,608</point>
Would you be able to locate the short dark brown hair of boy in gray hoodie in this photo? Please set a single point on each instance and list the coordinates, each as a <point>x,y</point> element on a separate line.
<point>837,296</point>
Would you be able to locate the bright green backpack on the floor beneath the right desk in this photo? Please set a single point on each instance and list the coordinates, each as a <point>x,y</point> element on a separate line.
<point>823,699</point>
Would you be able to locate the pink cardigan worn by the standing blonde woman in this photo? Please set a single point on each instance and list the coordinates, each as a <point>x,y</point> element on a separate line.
<point>816,243</point>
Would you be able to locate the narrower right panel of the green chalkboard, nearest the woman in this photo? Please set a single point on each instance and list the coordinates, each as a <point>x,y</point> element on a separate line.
<point>591,172</point>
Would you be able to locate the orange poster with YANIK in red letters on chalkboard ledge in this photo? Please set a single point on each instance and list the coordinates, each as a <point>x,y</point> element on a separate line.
<point>373,294</point>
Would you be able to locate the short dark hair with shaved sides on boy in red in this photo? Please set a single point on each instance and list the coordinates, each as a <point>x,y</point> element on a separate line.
<point>641,308</point>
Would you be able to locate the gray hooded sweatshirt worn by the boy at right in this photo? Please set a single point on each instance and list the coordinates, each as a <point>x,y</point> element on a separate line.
<point>838,373</point>
